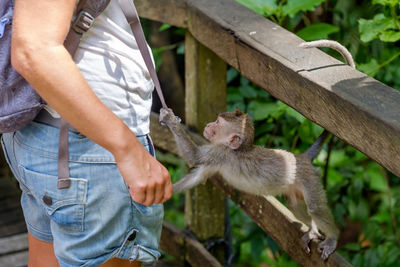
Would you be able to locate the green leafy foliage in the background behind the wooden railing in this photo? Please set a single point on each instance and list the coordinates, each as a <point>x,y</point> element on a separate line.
<point>364,198</point>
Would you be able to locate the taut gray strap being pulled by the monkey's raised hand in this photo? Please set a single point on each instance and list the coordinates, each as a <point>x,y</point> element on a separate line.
<point>131,15</point>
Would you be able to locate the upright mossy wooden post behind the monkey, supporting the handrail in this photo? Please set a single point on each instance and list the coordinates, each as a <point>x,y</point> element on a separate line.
<point>205,97</point>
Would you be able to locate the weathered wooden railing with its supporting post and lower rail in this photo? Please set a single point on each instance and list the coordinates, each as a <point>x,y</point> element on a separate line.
<point>356,108</point>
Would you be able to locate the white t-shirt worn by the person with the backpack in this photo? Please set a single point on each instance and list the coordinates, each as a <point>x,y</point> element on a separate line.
<point>110,61</point>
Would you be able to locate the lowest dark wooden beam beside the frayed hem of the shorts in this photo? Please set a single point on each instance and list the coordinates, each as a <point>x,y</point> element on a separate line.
<point>182,246</point>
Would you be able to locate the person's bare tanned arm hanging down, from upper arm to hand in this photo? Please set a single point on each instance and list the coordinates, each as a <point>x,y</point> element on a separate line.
<point>38,54</point>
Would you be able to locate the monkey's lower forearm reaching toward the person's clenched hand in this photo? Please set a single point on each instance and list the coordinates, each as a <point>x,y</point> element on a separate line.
<point>195,177</point>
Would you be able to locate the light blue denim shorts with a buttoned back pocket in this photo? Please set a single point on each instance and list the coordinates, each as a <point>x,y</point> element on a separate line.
<point>94,219</point>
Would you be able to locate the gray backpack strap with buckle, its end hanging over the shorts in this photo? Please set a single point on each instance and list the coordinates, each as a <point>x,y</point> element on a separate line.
<point>86,12</point>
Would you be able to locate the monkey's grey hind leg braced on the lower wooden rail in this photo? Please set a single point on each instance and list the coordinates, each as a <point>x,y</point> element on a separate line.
<point>321,217</point>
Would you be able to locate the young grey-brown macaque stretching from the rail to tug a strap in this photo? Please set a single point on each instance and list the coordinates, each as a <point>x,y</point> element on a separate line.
<point>260,171</point>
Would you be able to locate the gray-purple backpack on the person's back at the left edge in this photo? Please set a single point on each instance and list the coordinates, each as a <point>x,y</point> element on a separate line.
<point>19,102</point>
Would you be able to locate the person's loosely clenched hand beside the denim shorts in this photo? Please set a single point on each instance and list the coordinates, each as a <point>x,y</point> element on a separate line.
<point>148,180</point>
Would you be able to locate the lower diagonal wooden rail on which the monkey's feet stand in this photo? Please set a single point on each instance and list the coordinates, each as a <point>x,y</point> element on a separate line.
<point>268,213</point>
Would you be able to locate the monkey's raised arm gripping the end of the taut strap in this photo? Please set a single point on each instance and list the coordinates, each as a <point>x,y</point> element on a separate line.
<point>187,148</point>
